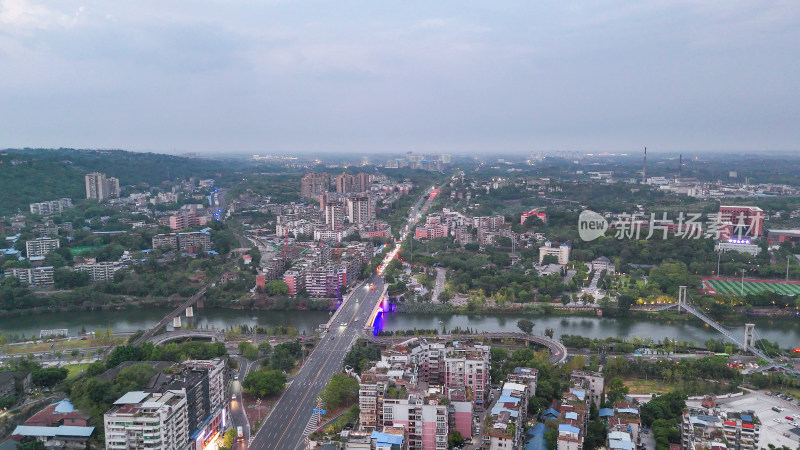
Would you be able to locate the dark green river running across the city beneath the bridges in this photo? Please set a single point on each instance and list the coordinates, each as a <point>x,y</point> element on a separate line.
<point>785,330</point>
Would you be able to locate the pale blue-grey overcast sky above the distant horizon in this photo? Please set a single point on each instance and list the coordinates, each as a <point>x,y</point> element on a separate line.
<point>281,76</point>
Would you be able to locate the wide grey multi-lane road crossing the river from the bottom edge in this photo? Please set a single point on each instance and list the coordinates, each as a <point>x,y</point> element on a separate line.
<point>285,427</point>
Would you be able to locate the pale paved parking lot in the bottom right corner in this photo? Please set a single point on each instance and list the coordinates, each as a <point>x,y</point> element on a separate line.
<point>777,432</point>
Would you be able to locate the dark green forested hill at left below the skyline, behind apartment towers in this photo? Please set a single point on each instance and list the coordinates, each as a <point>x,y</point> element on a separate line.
<point>34,175</point>
